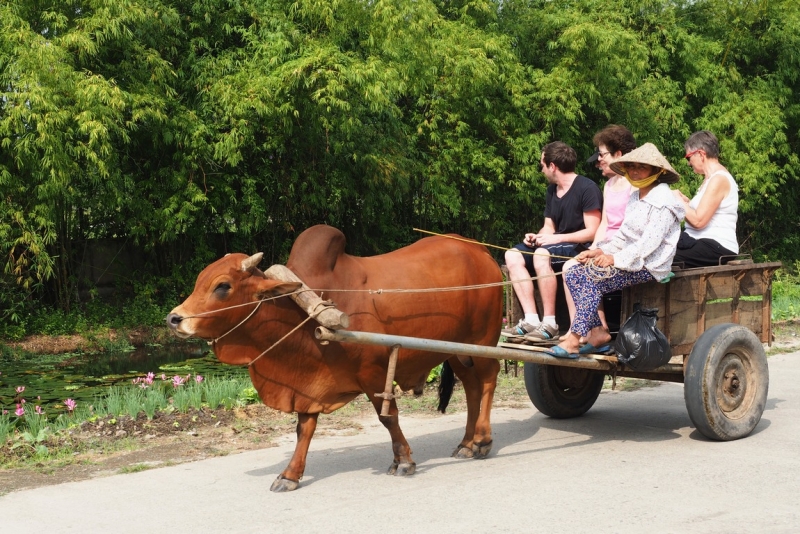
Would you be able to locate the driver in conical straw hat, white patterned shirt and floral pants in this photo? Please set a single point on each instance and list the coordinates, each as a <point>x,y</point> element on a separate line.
<point>639,252</point>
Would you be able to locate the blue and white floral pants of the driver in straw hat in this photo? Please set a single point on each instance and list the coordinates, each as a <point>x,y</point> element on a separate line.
<point>587,291</point>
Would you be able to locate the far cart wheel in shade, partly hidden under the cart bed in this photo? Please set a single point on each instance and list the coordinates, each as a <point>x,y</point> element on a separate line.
<point>562,392</point>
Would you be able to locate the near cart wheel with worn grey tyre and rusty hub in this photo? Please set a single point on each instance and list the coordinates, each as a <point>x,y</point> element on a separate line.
<point>726,382</point>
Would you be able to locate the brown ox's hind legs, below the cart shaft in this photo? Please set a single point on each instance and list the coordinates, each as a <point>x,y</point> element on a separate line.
<point>480,382</point>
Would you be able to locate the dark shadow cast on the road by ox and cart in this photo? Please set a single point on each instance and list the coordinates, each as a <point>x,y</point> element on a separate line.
<point>656,416</point>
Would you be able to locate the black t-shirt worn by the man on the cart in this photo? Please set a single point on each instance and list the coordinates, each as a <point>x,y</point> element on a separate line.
<point>567,211</point>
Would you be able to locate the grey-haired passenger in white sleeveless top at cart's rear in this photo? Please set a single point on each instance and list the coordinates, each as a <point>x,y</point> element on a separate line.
<point>709,237</point>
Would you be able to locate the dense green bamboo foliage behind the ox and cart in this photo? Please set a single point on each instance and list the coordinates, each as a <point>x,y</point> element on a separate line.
<point>191,128</point>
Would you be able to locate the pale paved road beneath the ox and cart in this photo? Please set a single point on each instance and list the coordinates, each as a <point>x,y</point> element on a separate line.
<point>633,463</point>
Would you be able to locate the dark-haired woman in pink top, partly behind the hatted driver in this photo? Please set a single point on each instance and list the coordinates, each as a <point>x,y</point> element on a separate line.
<point>612,142</point>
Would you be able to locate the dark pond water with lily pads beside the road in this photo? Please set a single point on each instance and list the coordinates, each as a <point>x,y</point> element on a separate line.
<point>50,379</point>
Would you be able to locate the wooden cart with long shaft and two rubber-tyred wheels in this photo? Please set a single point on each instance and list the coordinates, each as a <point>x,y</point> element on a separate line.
<point>716,319</point>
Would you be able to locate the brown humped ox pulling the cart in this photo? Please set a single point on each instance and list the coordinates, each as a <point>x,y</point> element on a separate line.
<point>302,375</point>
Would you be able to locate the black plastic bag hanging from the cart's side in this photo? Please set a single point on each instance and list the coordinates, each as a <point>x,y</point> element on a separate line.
<point>639,344</point>
